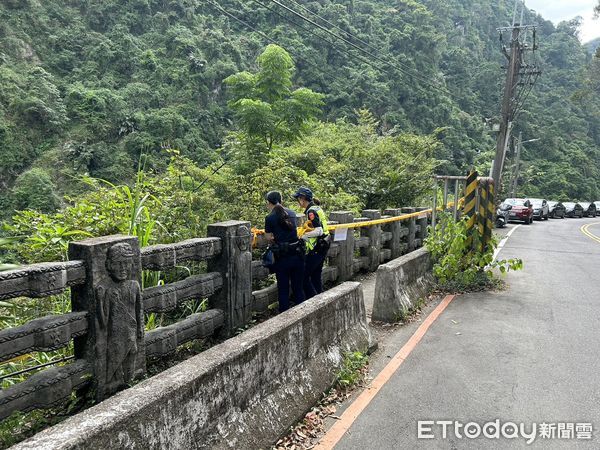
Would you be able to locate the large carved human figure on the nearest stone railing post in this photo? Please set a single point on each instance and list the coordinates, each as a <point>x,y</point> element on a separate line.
<point>120,319</point>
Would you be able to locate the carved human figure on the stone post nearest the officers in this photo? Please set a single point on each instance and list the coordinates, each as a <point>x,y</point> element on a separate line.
<point>243,279</point>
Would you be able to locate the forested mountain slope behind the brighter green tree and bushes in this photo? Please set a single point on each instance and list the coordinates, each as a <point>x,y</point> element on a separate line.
<point>88,85</point>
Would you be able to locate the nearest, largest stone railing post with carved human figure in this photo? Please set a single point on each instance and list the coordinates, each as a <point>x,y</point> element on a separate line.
<point>112,297</point>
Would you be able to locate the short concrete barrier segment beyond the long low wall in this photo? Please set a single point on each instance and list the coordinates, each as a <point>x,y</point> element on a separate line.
<point>400,283</point>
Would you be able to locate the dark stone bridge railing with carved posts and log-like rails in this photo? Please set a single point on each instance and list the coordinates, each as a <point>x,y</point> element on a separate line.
<point>107,326</point>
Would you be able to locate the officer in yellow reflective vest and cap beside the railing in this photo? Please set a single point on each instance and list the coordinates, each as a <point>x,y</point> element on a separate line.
<point>317,241</point>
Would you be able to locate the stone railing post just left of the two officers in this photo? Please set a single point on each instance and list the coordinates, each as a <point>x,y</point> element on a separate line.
<point>235,265</point>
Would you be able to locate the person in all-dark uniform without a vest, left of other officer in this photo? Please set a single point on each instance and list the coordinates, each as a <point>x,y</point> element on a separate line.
<point>288,250</point>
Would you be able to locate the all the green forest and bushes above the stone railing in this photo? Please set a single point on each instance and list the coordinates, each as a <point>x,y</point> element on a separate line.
<point>96,95</point>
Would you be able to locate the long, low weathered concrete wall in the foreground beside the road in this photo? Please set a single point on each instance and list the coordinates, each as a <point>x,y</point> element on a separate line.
<point>243,393</point>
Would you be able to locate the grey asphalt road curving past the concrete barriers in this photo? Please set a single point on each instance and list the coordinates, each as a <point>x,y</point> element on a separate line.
<point>528,354</point>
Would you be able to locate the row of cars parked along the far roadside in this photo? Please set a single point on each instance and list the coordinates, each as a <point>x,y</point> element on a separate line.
<point>528,209</point>
